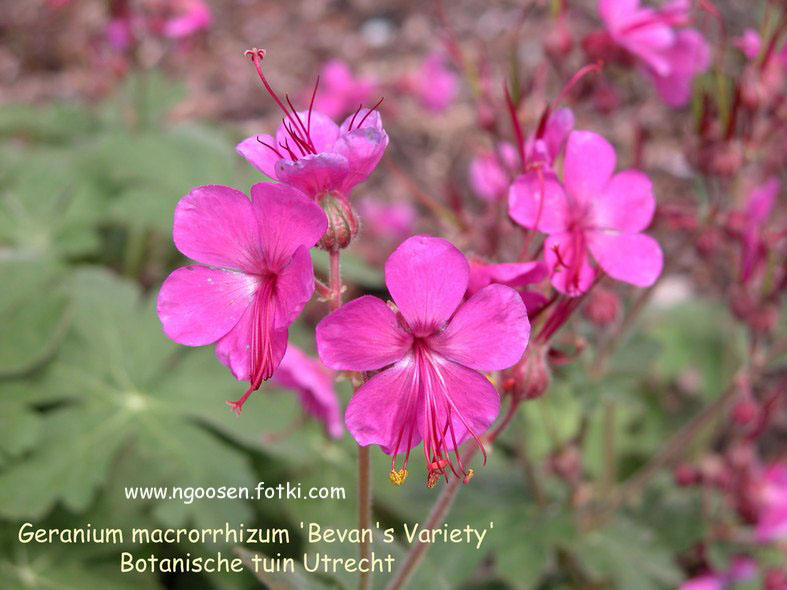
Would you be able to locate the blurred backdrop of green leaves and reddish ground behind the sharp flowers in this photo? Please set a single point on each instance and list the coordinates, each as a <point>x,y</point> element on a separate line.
<point>634,471</point>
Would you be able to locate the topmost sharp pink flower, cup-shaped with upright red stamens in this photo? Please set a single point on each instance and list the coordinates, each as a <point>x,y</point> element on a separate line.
<point>314,154</point>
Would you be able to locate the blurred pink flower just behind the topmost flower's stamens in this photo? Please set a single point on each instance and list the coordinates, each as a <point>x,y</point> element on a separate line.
<point>340,92</point>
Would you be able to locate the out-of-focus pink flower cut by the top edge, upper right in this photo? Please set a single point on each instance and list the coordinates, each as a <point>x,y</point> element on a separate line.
<point>671,58</point>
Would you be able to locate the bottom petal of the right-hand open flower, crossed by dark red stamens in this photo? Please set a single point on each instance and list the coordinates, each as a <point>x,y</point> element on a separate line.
<point>576,279</point>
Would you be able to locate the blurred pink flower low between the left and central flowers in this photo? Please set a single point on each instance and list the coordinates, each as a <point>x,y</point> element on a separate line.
<point>313,382</point>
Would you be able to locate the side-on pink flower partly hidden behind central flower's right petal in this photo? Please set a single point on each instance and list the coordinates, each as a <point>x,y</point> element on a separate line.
<point>511,274</point>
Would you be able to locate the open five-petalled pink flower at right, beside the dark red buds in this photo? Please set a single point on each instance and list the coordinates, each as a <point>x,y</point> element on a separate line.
<point>593,211</point>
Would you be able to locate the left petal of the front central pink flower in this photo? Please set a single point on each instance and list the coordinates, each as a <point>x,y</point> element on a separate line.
<point>362,335</point>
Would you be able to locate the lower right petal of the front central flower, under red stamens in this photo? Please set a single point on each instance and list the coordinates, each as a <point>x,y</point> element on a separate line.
<point>473,400</point>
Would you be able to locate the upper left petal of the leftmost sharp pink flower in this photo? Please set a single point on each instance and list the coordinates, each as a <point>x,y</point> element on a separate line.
<point>215,225</point>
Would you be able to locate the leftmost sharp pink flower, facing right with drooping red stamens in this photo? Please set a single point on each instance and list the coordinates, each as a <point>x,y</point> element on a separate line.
<point>256,275</point>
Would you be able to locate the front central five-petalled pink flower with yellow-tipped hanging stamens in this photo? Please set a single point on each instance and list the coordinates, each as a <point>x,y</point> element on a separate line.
<point>431,352</point>
